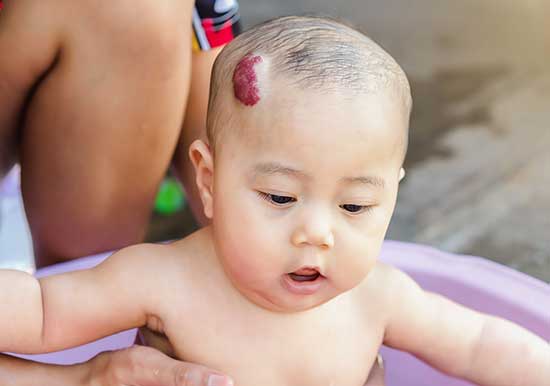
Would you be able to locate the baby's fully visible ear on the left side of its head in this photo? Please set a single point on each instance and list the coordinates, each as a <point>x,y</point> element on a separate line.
<point>202,160</point>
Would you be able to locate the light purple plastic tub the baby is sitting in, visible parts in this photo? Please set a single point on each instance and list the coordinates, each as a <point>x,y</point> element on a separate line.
<point>473,281</point>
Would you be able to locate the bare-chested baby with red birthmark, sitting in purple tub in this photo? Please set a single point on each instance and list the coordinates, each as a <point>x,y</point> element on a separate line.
<point>307,132</point>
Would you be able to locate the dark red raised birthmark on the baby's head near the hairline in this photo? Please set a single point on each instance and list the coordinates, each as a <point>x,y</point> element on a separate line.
<point>245,81</point>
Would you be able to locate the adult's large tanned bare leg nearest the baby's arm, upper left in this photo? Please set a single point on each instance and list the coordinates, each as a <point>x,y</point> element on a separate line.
<point>101,127</point>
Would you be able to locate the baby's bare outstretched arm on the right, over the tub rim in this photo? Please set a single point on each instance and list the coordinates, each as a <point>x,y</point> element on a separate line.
<point>468,344</point>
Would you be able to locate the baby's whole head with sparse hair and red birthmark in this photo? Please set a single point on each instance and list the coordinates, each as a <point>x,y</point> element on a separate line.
<point>307,129</point>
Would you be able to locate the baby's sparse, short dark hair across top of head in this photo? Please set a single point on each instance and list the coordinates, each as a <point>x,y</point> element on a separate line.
<point>312,53</point>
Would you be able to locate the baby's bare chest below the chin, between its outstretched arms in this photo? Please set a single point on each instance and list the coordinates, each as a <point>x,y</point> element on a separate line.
<point>330,346</point>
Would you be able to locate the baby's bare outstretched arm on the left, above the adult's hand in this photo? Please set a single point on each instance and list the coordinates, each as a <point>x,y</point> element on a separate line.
<point>70,309</point>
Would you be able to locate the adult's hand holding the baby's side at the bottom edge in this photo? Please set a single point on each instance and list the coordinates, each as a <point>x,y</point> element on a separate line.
<point>146,366</point>
